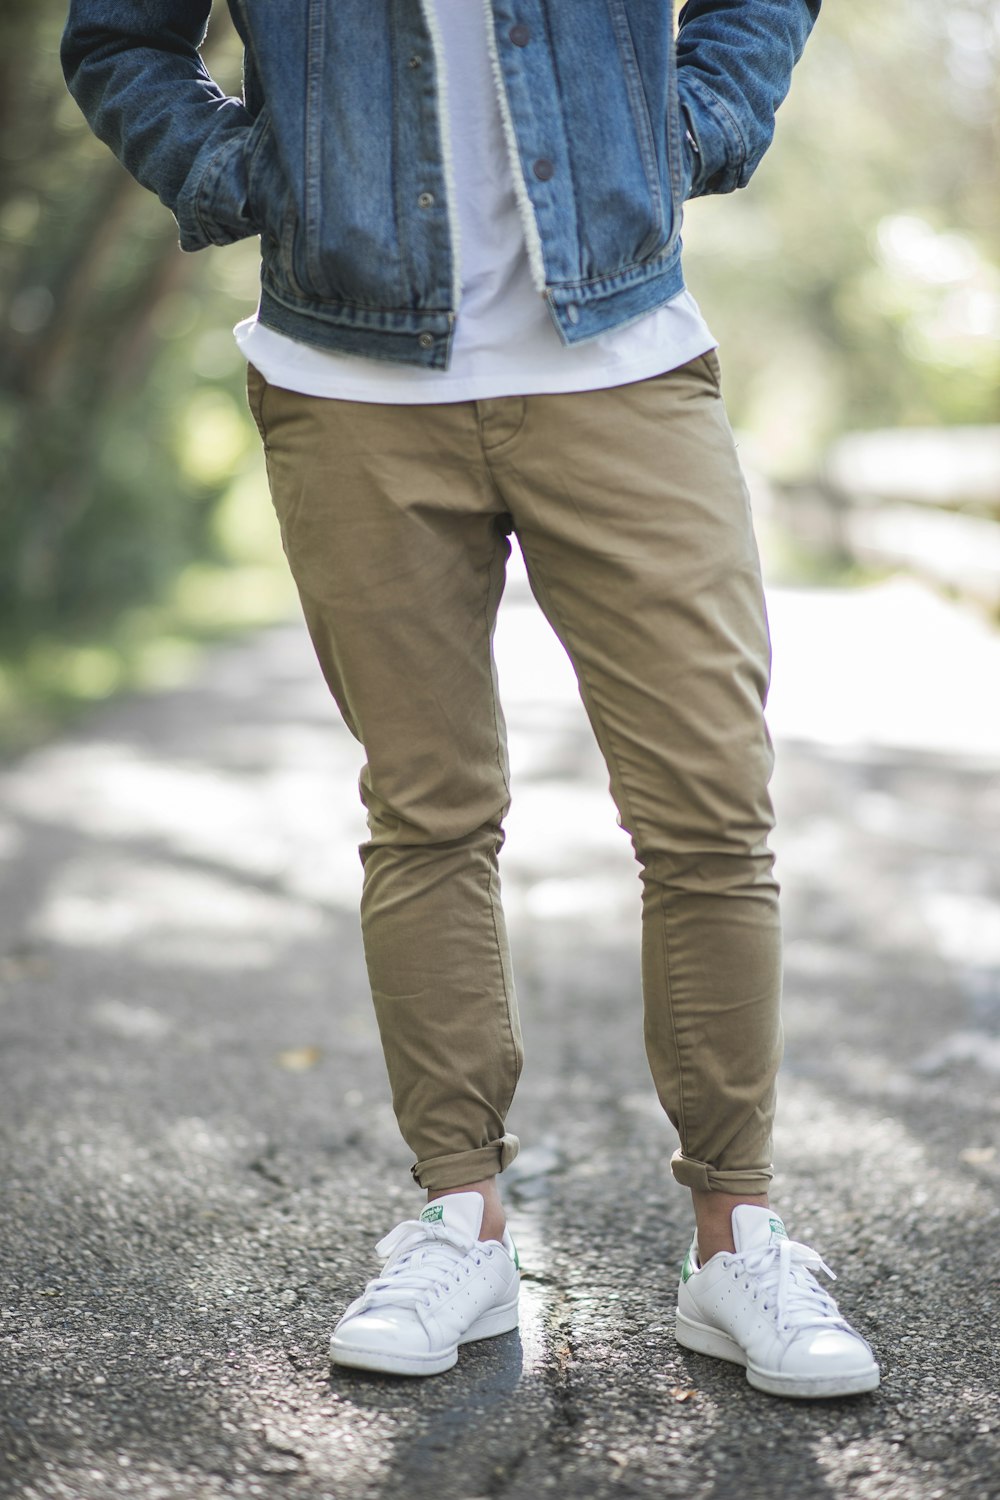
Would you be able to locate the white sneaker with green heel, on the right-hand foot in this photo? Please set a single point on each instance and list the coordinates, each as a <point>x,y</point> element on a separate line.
<point>761,1307</point>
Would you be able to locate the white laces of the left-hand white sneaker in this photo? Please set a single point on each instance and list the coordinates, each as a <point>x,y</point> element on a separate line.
<point>425,1262</point>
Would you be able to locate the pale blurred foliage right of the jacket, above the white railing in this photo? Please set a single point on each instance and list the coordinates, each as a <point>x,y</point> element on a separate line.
<point>857,281</point>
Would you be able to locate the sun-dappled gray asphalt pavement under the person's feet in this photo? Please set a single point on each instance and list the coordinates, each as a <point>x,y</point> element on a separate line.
<point>199,1151</point>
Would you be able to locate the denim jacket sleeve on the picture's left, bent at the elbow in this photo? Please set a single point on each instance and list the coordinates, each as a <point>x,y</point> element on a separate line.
<point>139,77</point>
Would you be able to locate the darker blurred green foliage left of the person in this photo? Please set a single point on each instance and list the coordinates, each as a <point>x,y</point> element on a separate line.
<point>133,503</point>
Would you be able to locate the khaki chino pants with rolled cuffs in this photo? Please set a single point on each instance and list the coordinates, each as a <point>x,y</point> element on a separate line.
<point>635,524</point>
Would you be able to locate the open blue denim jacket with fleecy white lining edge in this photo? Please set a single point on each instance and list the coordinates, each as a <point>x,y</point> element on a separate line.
<point>338,155</point>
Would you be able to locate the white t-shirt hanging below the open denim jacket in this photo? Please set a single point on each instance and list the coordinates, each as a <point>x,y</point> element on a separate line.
<point>506,343</point>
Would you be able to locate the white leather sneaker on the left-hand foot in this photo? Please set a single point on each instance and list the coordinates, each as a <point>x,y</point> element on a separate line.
<point>440,1288</point>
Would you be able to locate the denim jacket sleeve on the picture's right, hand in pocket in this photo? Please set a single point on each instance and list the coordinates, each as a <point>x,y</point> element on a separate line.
<point>735,61</point>
